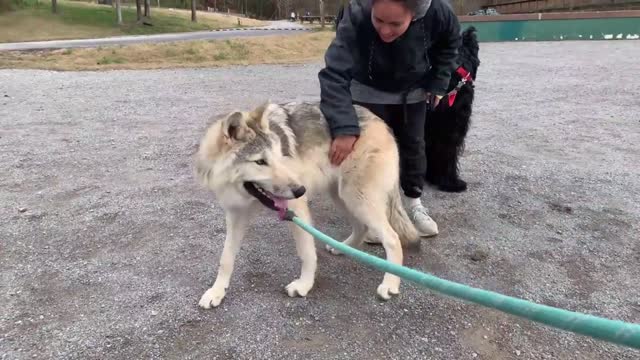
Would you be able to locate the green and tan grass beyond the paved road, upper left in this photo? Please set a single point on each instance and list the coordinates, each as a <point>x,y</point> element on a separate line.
<point>34,21</point>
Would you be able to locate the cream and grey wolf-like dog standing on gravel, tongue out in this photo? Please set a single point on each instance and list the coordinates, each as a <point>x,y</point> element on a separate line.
<point>278,153</point>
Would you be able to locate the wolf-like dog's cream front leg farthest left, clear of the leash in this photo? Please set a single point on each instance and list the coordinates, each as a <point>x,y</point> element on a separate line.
<point>236,222</point>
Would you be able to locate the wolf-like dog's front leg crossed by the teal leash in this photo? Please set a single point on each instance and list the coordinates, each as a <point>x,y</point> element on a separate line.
<point>306,250</point>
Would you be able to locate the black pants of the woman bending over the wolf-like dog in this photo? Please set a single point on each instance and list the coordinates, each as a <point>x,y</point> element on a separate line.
<point>410,138</point>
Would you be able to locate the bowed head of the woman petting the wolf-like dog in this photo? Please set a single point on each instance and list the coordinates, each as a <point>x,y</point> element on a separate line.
<point>391,18</point>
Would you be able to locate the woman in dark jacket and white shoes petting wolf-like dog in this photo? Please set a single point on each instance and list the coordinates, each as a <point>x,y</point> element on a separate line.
<point>392,57</point>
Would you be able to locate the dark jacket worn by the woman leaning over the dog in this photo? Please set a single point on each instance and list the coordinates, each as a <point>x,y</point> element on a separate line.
<point>424,56</point>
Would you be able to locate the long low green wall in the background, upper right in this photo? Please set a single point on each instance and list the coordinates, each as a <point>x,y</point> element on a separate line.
<point>550,30</point>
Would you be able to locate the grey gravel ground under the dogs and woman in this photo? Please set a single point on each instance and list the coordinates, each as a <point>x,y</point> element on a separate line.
<point>107,243</point>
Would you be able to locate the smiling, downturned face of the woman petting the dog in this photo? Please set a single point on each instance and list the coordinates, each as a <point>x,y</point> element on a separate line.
<point>390,19</point>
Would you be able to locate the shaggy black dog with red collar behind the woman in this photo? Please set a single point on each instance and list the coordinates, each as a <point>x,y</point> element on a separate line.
<point>447,125</point>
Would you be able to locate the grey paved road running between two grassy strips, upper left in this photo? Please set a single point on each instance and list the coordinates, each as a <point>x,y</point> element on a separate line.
<point>276,27</point>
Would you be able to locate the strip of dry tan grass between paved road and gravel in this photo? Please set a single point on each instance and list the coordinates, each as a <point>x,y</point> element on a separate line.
<point>277,49</point>
